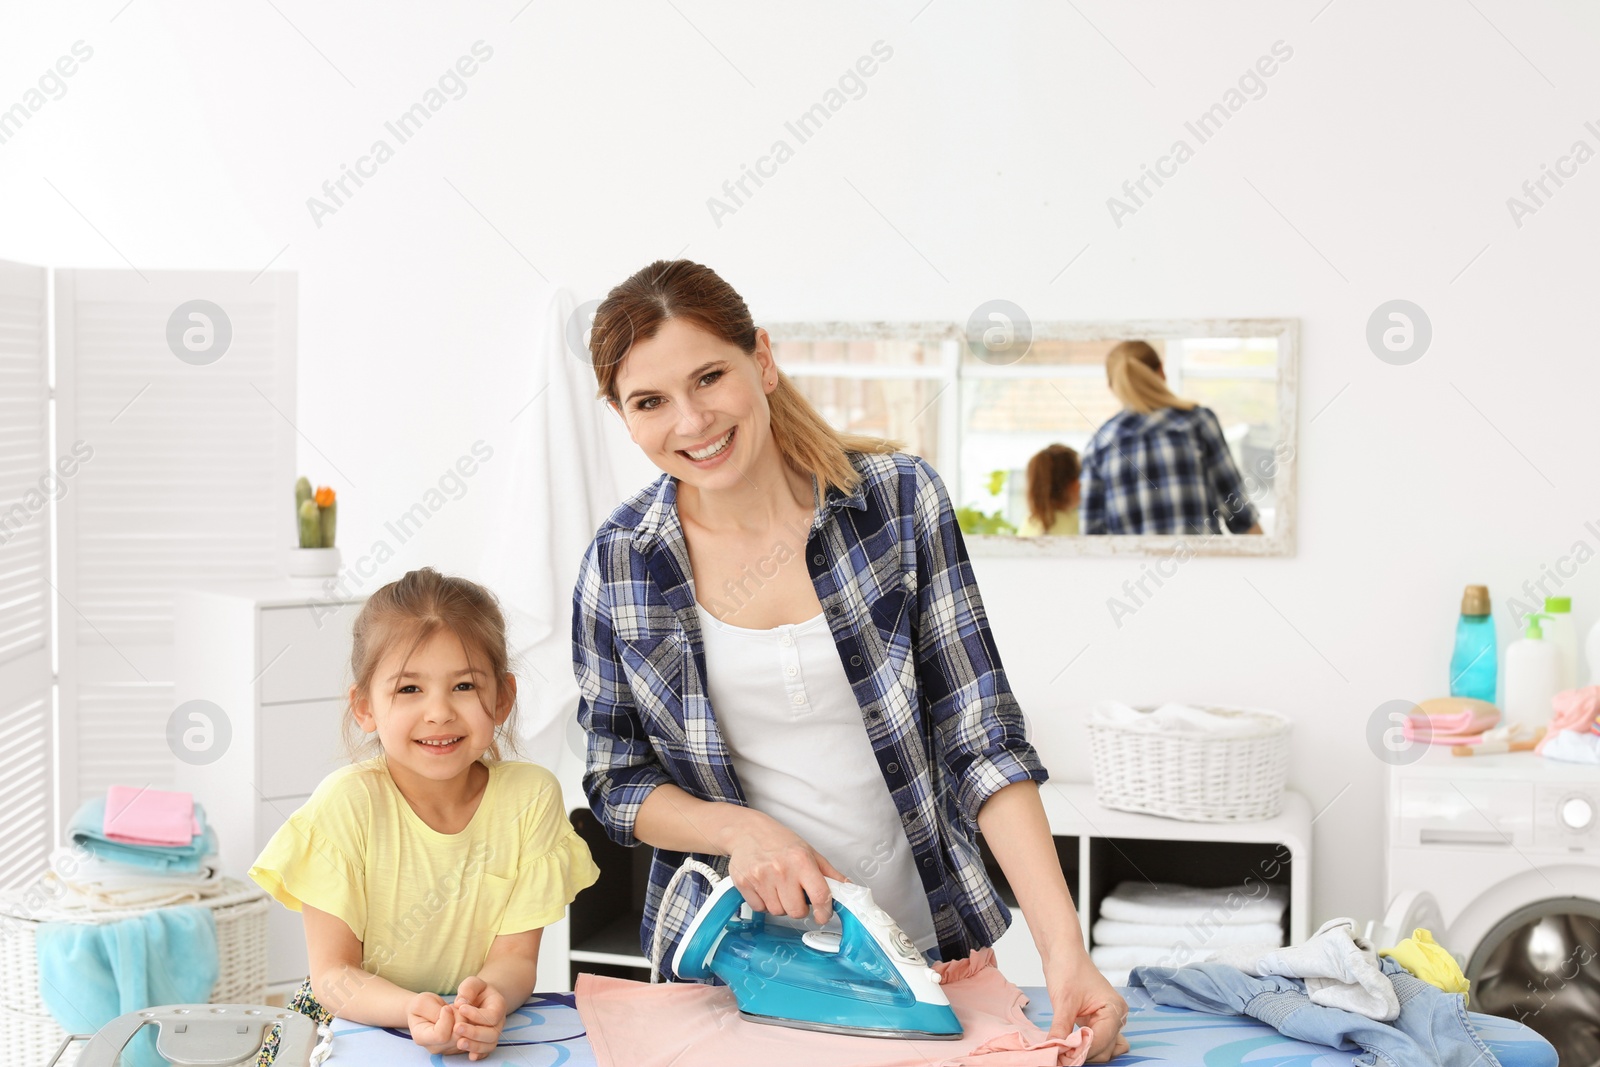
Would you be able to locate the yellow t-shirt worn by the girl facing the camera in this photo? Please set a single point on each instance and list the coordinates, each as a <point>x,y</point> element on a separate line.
<point>426,906</point>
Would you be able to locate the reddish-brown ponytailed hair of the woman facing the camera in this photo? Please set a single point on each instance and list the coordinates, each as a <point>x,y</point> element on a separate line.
<point>679,289</point>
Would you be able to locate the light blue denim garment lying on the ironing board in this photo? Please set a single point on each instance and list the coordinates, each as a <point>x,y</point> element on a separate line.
<point>1430,1033</point>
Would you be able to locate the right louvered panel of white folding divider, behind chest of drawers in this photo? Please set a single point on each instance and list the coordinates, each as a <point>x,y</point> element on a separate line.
<point>177,390</point>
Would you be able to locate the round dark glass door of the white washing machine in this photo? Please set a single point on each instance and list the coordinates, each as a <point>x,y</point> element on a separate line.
<point>1542,967</point>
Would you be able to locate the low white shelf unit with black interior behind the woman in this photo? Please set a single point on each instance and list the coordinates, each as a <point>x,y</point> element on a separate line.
<point>1097,849</point>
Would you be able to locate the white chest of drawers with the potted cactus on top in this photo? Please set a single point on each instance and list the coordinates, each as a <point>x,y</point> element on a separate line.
<point>276,663</point>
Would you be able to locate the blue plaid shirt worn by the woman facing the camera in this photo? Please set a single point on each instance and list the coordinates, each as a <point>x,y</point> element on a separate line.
<point>892,572</point>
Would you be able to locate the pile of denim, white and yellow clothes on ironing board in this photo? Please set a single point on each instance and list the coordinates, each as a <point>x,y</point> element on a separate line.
<point>1407,1005</point>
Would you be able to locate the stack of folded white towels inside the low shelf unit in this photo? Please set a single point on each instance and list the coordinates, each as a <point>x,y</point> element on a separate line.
<point>1146,924</point>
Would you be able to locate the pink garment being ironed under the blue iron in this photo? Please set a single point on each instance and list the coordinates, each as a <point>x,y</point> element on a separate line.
<point>636,1025</point>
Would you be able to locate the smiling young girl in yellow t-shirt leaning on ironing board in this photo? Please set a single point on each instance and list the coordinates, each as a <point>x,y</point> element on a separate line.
<point>430,866</point>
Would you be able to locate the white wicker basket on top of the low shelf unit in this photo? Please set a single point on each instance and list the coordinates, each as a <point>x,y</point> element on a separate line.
<point>1193,777</point>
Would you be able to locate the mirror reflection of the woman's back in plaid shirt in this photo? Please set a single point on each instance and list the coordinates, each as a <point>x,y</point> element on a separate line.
<point>1161,465</point>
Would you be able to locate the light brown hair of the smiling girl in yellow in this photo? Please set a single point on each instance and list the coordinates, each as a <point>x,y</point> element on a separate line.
<point>404,615</point>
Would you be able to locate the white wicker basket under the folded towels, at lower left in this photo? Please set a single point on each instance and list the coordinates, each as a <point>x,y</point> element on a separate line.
<point>241,914</point>
